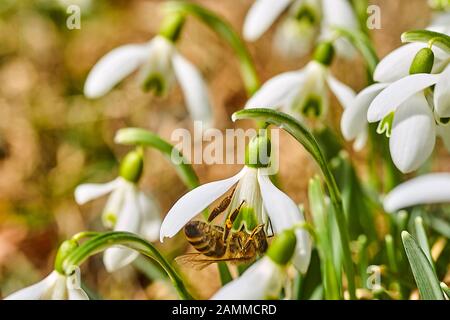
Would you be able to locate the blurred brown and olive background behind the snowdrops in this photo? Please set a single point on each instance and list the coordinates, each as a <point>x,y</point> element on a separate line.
<point>52,138</point>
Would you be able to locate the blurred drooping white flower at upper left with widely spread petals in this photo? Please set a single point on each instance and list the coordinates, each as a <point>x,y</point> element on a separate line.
<point>160,65</point>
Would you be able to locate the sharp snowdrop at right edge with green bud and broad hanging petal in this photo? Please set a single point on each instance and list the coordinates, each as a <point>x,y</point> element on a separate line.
<point>411,112</point>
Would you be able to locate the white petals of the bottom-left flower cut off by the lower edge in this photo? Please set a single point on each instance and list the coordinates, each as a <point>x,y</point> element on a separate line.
<point>54,287</point>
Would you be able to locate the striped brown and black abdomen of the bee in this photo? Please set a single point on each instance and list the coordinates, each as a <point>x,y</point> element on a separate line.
<point>205,238</point>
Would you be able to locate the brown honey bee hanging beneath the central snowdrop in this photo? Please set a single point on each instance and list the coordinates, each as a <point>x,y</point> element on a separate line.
<point>215,243</point>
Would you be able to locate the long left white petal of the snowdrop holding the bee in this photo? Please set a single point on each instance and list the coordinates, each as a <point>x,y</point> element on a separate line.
<point>193,202</point>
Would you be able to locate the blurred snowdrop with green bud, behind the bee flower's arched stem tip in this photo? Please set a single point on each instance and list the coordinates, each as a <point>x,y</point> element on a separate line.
<point>304,93</point>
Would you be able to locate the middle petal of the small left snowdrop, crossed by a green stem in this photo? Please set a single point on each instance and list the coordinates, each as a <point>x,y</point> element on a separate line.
<point>129,220</point>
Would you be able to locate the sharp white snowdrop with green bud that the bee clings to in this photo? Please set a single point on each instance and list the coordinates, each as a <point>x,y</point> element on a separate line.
<point>262,202</point>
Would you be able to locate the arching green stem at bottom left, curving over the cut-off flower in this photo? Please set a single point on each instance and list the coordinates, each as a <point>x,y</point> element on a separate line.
<point>103,241</point>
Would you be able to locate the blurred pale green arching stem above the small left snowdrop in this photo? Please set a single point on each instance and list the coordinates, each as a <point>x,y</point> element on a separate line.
<point>141,137</point>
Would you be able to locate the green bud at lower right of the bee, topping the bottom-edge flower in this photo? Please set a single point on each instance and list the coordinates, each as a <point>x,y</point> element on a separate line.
<point>282,248</point>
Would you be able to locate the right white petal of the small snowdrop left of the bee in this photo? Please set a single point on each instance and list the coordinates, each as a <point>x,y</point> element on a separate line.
<point>151,217</point>
